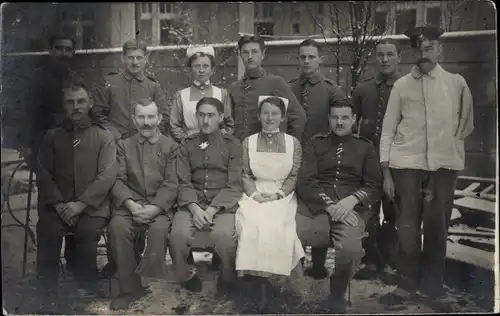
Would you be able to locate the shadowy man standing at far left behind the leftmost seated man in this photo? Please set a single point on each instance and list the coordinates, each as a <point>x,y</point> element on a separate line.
<point>48,111</point>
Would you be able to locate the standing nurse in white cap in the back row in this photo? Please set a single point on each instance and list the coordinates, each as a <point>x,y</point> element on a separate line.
<point>183,122</point>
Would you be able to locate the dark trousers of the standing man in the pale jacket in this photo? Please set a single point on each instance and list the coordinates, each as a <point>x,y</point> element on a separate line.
<point>423,197</point>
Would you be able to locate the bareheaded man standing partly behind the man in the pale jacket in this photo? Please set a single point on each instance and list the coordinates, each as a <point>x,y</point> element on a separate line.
<point>370,99</point>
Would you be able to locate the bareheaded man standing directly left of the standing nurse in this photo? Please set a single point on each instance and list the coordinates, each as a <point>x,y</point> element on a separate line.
<point>115,97</point>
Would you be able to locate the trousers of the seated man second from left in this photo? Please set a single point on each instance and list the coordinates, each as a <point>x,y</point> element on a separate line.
<point>123,233</point>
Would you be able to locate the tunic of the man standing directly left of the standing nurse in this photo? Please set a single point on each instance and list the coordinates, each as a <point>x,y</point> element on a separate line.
<point>115,98</point>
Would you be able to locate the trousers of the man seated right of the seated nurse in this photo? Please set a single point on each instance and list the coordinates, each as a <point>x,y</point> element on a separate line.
<point>347,241</point>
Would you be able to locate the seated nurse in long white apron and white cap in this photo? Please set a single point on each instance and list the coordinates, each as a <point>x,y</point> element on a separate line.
<point>265,222</point>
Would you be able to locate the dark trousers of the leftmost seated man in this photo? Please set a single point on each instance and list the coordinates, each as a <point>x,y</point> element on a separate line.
<point>87,233</point>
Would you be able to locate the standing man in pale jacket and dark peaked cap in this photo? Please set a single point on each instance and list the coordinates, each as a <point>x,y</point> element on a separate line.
<point>428,116</point>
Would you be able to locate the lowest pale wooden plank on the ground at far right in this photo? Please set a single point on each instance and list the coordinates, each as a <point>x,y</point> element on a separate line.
<point>470,255</point>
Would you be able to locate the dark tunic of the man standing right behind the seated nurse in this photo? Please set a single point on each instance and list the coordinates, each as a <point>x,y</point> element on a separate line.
<point>244,95</point>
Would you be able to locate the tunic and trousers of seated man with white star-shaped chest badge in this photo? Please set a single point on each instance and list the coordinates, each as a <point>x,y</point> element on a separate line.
<point>209,170</point>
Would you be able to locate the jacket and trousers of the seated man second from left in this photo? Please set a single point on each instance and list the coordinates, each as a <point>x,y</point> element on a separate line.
<point>147,175</point>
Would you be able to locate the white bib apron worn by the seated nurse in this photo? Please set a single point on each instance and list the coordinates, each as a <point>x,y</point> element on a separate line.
<point>267,234</point>
